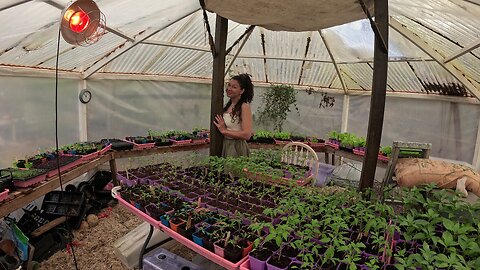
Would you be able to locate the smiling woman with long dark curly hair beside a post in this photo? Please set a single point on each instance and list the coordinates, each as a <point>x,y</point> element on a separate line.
<point>236,122</point>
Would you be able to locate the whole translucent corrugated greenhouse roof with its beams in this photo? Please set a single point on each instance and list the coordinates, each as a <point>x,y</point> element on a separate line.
<point>433,46</point>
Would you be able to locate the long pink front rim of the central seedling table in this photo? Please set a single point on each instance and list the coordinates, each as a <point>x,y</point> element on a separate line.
<point>182,240</point>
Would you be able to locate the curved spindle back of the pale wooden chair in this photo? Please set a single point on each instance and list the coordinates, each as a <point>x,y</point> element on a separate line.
<point>298,153</point>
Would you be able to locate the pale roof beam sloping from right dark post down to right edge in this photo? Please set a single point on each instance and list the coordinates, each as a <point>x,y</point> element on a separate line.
<point>454,71</point>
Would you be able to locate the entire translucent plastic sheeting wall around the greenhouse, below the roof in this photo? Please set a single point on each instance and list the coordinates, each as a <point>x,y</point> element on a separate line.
<point>122,108</point>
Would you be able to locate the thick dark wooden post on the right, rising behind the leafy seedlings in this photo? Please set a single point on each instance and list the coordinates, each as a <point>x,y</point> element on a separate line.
<point>377,104</point>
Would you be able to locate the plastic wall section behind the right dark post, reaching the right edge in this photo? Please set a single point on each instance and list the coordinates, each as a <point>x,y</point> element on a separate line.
<point>450,127</point>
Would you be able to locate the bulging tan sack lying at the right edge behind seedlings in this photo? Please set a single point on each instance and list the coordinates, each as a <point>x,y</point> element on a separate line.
<point>414,171</point>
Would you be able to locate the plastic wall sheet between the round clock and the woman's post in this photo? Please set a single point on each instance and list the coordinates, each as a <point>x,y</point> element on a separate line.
<point>122,108</point>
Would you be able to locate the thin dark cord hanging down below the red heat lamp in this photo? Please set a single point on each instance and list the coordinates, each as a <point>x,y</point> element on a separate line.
<point>56,145</point>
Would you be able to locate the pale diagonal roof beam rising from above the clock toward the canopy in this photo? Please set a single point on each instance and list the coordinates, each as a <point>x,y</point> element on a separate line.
<point>137,40</point>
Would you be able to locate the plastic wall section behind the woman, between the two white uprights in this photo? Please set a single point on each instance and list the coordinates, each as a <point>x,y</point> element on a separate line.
<point>129,108</point>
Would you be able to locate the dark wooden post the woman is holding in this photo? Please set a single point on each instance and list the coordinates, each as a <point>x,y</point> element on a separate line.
<point>221,28</point>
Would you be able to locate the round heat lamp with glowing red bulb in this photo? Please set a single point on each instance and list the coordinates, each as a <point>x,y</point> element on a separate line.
<point>82,23</point>
